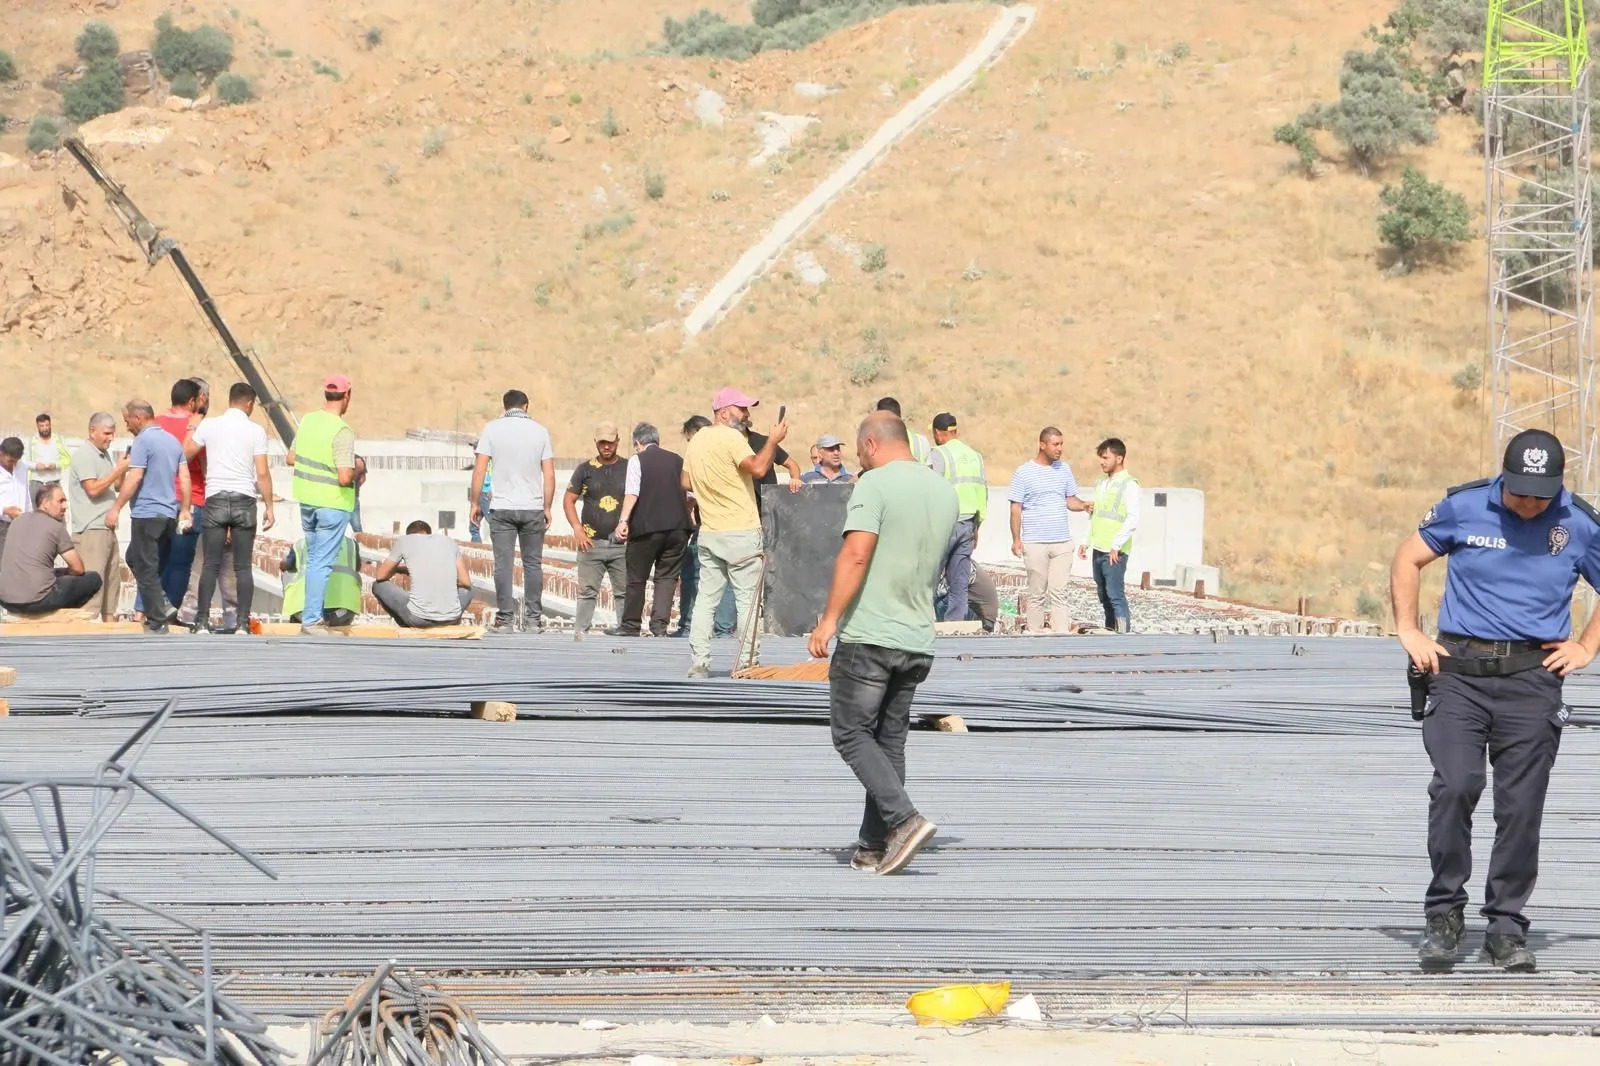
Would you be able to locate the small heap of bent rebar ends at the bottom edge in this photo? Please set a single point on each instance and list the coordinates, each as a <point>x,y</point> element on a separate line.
<point>396,1020</point>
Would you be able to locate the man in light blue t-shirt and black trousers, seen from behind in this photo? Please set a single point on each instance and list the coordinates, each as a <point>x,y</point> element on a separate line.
<point>158,484</point>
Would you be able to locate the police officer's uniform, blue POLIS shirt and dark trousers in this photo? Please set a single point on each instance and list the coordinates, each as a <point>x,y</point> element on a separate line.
<point>1508,590</point>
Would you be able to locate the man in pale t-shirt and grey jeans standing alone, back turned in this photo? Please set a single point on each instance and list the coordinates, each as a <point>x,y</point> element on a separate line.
<point>519,507</point>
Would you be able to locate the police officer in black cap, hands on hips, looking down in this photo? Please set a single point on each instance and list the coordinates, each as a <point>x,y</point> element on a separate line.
<point>1518,545</point>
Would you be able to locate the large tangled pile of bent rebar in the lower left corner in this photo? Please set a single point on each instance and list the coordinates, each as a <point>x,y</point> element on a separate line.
<point>78,988</point>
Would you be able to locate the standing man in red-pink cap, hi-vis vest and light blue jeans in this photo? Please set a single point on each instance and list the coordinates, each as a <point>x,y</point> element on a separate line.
<point>324,460</point>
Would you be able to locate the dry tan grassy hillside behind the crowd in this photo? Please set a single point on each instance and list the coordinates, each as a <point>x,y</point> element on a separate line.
<point>1111,246</point>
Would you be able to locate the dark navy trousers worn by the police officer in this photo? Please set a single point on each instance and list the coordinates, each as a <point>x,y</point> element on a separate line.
<point>1518,721</point>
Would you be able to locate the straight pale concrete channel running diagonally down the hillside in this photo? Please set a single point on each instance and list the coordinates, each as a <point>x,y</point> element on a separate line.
<point>1007,30</point>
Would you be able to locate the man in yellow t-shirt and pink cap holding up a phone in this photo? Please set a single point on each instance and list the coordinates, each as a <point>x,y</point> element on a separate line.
<point>722,471</point>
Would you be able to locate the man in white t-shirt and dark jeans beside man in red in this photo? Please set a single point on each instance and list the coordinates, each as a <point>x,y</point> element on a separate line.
<point>236,483</point>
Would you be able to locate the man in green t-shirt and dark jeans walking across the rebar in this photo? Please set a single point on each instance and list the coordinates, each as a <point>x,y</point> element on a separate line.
<point>881,606</point>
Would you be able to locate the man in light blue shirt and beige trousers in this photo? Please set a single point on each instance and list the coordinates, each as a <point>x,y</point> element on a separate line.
<point>1042,494</point>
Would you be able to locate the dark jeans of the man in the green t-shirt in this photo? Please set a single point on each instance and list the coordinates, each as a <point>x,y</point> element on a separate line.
<point>870,694</point>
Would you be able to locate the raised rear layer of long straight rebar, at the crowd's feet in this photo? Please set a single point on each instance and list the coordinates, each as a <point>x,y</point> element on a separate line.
<point>1351,687</point>
